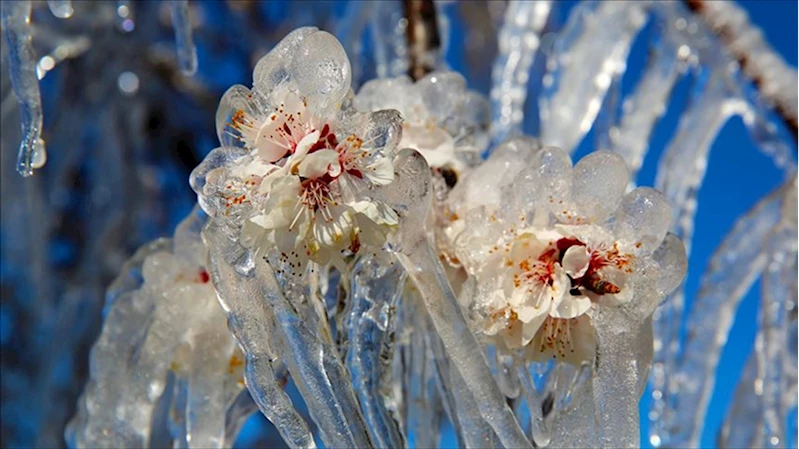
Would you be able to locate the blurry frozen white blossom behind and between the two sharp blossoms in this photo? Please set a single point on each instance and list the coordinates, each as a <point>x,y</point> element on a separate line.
<point>442,120</point>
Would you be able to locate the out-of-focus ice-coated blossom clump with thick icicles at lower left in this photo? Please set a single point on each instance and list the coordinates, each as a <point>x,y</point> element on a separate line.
<point>174,288</point>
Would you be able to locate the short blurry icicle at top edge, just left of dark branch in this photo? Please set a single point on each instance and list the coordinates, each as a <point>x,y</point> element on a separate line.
<point>387,27</point>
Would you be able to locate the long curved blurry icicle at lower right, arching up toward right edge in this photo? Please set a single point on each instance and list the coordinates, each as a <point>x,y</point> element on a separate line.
<point>733,268</point>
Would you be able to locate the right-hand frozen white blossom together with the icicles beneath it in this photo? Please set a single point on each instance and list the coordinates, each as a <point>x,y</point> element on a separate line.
<point>568,267</point>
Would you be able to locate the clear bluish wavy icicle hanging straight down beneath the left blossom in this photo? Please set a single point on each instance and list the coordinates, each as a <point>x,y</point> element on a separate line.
<point>376,285</point>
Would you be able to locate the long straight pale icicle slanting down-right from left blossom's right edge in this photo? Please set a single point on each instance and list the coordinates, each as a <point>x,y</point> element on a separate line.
<point>412,201</point>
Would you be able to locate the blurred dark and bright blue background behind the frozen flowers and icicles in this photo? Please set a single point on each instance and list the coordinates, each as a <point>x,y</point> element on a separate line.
<point>124,128</point>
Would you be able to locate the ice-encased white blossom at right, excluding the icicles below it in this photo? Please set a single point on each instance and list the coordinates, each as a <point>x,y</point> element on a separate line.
<point>558,243</point>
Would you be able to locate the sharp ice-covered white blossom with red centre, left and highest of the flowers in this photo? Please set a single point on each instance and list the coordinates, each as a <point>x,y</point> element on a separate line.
<point>298,165</point>
